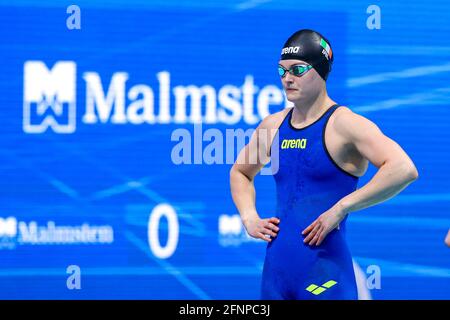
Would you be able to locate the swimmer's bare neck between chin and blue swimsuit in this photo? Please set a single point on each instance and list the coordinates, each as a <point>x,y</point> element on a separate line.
<point>307,110</point>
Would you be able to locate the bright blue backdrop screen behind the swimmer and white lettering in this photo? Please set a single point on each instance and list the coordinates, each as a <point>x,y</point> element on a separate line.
<point>114,175</point>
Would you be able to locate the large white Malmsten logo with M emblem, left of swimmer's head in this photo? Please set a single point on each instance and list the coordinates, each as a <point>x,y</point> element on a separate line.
<point>50,100</point>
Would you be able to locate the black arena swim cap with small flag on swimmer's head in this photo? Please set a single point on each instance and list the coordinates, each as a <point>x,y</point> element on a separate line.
<point>311,47</point>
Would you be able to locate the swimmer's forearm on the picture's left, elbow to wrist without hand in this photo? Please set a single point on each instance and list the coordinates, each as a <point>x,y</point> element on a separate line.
<point>243,194</point>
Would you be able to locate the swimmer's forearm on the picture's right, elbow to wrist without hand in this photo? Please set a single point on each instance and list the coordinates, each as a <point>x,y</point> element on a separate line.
<point>390,179</point>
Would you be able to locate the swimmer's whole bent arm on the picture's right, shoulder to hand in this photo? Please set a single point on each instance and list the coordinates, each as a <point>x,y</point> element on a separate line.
<point>395,172</point>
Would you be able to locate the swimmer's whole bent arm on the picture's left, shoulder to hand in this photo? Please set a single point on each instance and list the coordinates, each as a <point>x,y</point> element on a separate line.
<point>250,161</point>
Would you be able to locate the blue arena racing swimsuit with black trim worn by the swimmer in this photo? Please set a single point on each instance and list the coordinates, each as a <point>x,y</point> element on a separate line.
<point>308,183</point>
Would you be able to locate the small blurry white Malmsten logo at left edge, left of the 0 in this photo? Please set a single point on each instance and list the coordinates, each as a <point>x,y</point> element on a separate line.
<point>13,233</point>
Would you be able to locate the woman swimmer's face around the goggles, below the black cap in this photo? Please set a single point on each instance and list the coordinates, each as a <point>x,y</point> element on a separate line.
<point>305,87</point>
